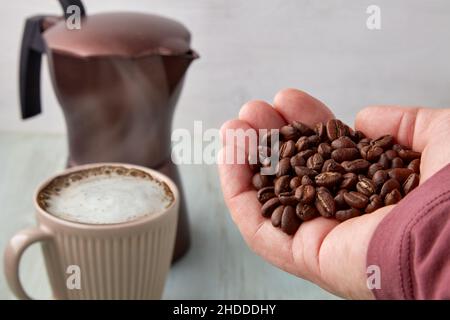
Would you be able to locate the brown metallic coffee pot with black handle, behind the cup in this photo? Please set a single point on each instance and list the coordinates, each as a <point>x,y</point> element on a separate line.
<point>117,79</point>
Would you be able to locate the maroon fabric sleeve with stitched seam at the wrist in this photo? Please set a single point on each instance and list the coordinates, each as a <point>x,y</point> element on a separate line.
<point>411,246</point>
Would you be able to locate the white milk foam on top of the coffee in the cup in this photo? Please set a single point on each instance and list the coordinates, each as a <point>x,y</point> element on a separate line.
<point>108,198</point>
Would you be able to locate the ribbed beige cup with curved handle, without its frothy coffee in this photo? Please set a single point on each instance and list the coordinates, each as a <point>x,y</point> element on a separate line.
<point>127,260</point>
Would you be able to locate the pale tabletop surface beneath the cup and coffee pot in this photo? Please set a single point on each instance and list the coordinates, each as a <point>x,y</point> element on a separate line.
<point>218,266</point>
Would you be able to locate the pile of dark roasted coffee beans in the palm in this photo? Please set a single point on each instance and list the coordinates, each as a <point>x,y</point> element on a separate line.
<point>331,171</point>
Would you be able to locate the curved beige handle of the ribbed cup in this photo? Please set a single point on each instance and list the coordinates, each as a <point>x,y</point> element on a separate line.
<point>13,253</point>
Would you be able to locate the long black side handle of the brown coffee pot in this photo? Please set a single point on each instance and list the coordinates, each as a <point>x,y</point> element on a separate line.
<point>30,67</point>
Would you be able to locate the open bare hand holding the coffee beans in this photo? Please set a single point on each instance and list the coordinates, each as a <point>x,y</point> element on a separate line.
<point>330,254</point>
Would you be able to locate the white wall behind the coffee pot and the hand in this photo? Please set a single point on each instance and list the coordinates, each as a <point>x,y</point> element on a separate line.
<point>250,49</point>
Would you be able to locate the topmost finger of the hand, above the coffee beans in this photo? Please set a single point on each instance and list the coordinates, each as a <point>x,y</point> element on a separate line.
<point>297,105</point>
